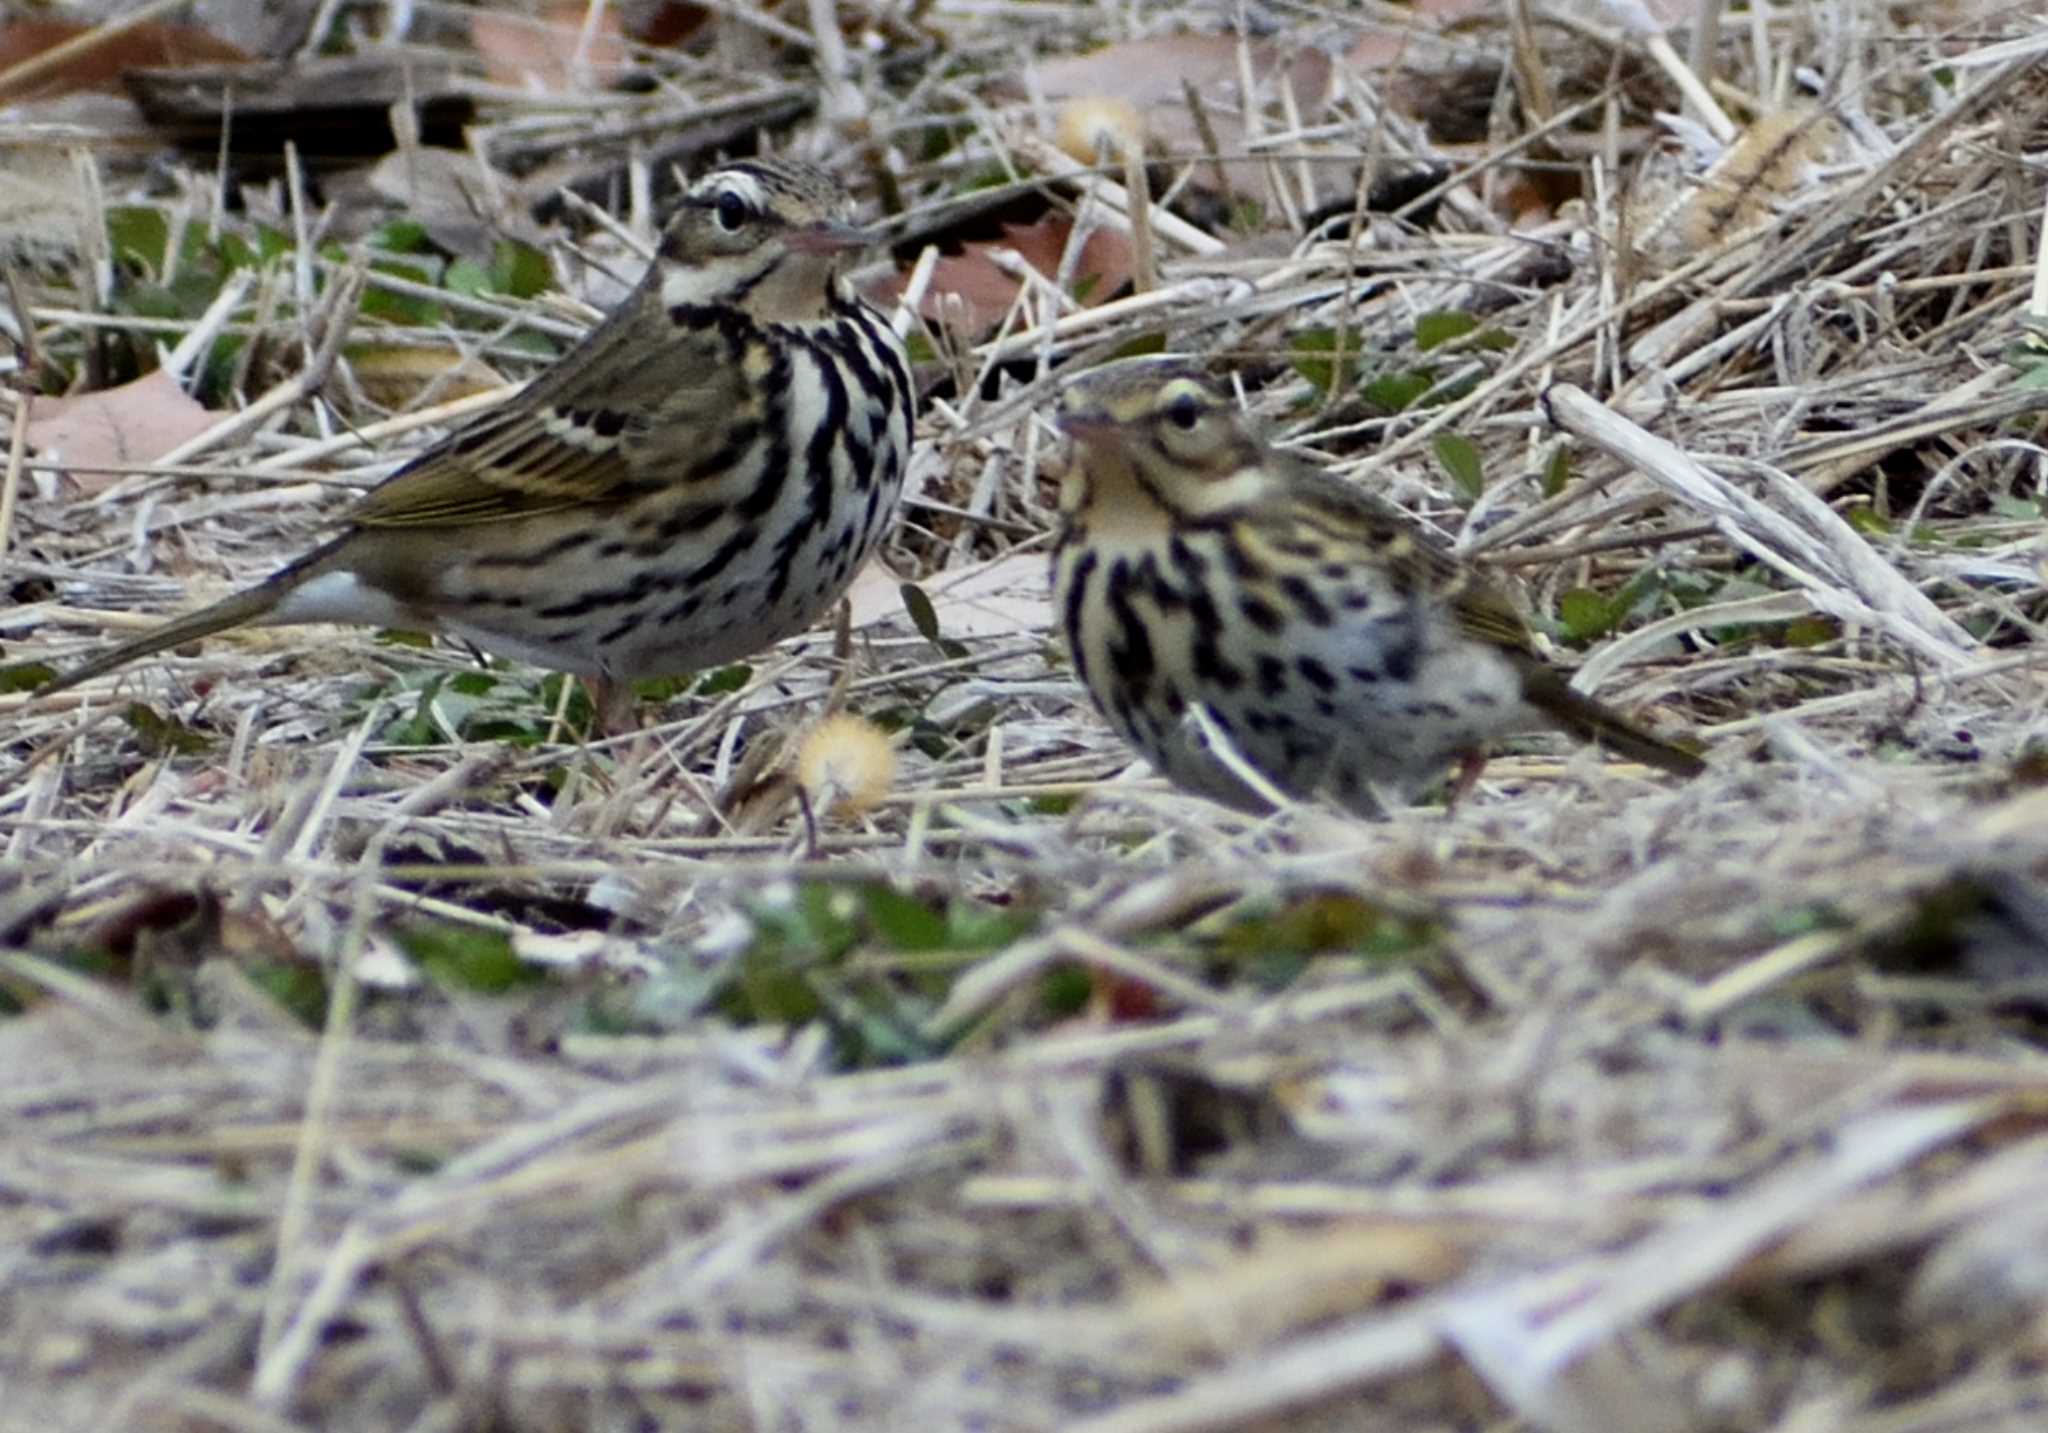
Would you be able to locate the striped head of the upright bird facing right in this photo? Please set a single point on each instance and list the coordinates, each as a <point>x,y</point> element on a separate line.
<point>767,236</point>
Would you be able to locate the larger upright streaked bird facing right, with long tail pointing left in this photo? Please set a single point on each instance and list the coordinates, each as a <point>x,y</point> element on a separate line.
<point>701,476</point>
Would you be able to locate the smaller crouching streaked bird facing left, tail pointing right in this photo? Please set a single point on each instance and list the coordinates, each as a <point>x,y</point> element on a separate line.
<point>1320,632</point>
